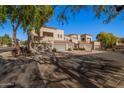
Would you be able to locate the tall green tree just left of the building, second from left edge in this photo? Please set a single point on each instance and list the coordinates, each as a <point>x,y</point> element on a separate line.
<point>34,18</point>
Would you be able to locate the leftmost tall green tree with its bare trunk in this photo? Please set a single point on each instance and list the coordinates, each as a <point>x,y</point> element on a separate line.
<point>13,14</point>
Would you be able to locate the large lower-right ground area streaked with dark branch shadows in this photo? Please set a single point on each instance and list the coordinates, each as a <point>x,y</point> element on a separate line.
<point>82,71</point>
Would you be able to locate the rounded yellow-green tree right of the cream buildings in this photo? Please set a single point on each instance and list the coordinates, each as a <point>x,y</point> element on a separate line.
<point>107,39</point>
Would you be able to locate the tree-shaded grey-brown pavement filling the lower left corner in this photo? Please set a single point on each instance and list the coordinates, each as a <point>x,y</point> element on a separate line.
<point>19,72</point>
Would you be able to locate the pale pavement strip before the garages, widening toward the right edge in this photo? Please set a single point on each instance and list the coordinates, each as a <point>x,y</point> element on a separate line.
<point>110,55</point>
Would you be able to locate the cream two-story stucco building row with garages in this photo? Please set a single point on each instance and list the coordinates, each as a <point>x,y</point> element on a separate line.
<point>56,39</point>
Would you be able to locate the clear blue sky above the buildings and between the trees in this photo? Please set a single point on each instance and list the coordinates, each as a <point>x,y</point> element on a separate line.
<point>83,22</point>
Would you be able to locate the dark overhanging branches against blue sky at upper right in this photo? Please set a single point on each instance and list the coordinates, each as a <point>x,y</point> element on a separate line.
<point>107,12</point>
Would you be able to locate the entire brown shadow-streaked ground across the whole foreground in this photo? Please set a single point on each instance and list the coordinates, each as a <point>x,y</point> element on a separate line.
<point>73,69</point>
